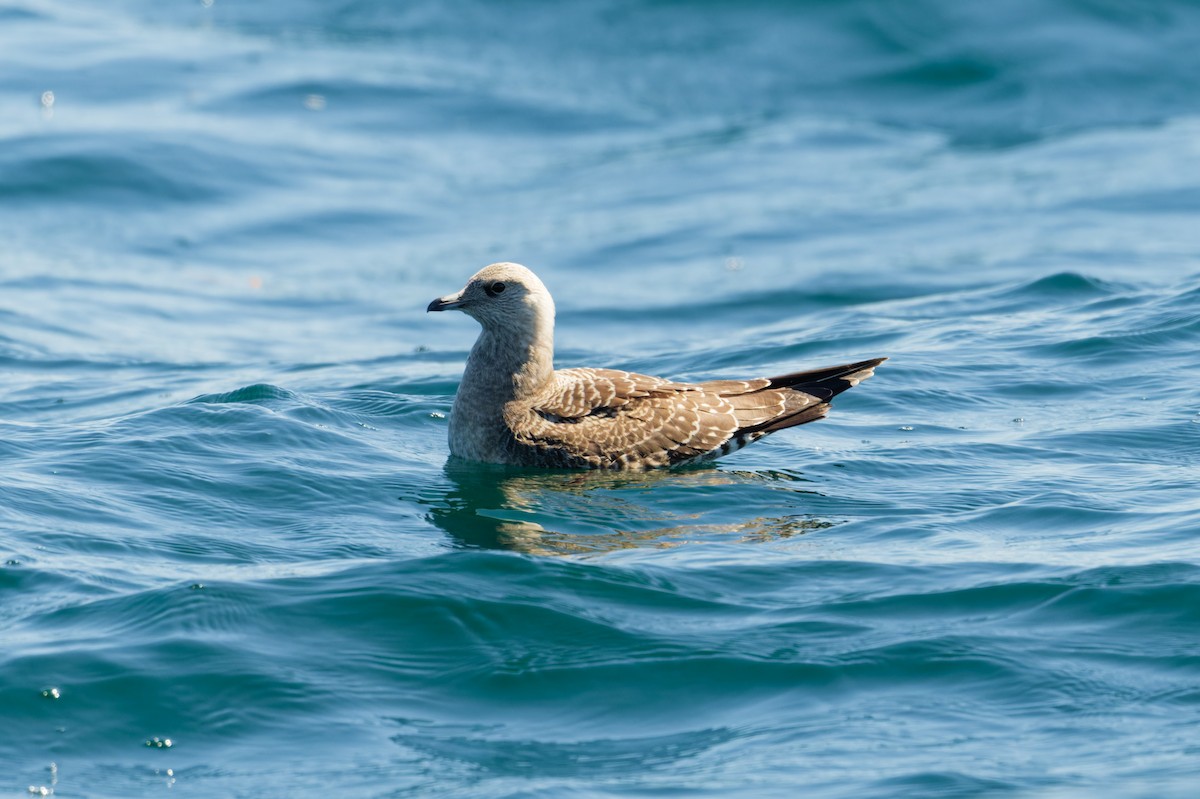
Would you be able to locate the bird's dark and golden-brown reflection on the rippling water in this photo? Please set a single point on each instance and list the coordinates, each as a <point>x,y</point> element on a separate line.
<point>577,513</point>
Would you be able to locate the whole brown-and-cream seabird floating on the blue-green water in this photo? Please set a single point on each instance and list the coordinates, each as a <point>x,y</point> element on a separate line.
<point>513,407</point>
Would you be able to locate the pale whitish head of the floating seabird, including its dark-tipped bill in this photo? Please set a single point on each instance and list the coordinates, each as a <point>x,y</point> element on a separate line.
<point>503,297</point>
